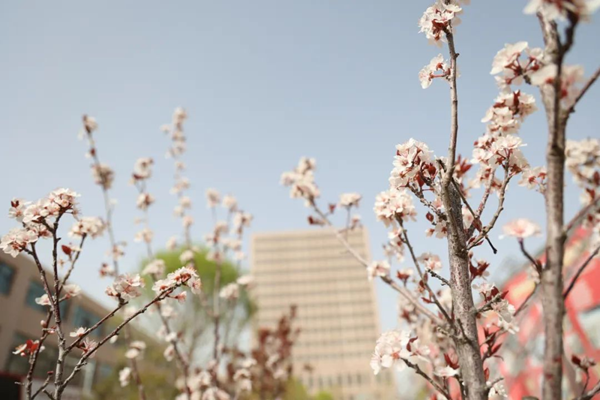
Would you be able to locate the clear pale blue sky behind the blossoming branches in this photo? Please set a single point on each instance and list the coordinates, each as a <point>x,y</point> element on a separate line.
<point>264,82</point>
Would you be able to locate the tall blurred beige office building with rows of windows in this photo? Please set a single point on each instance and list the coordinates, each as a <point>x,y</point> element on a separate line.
<point>337,310</point>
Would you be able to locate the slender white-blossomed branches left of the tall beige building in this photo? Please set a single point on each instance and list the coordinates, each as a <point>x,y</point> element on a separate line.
<point>230,371</point>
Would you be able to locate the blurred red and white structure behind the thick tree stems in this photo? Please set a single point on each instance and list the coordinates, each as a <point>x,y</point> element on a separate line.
<point>522,353</point>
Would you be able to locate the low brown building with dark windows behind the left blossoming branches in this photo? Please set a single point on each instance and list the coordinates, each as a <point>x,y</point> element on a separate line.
<point>20,320</point>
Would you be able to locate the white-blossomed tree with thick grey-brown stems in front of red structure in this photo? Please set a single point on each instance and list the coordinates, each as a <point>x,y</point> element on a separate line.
<point>454,337</point>
